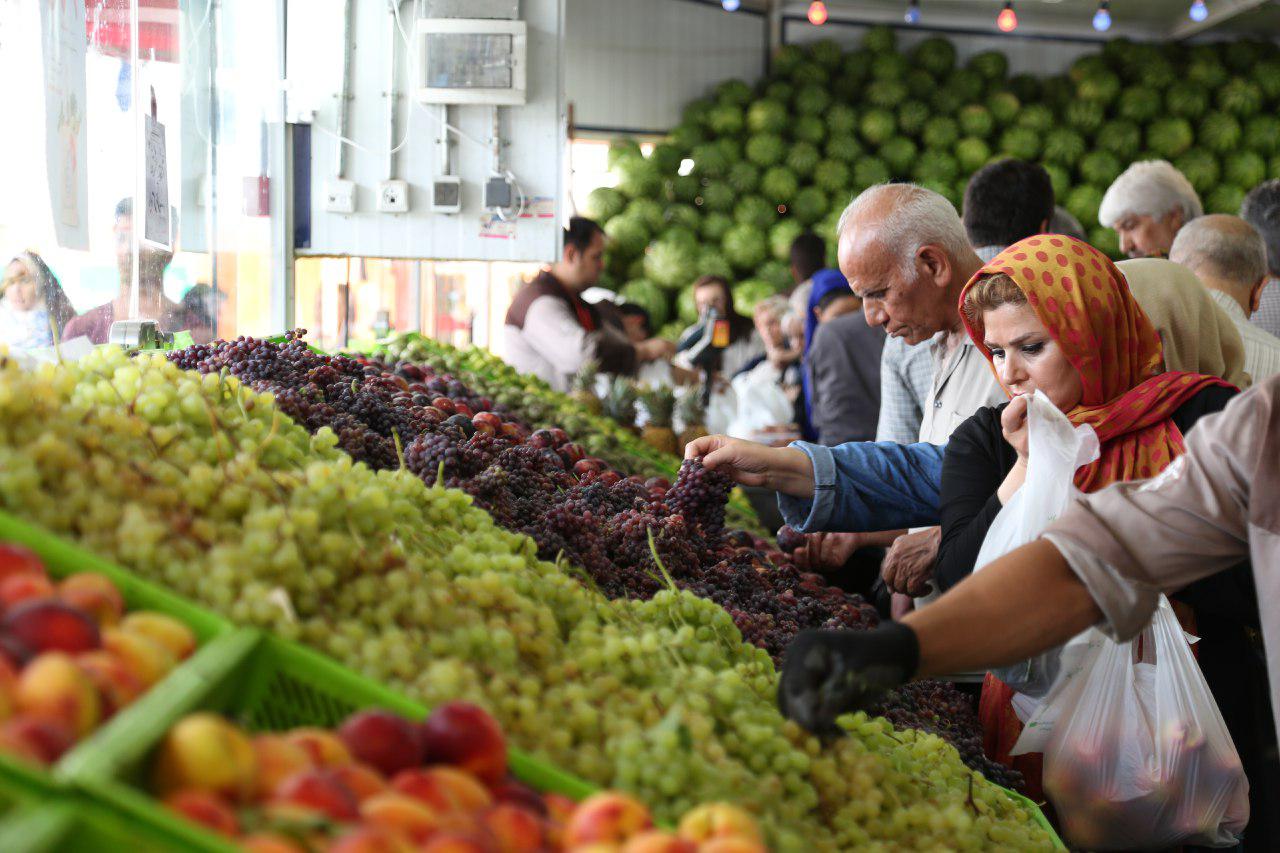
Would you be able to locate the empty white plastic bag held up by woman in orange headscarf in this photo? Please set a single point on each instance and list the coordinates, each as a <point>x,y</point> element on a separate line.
<point>1055,450</point>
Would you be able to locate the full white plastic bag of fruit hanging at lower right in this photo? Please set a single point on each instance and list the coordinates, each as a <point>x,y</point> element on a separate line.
<point>1137,754</point>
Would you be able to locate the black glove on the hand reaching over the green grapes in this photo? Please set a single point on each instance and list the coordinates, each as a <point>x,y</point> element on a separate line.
<point>830,673</point>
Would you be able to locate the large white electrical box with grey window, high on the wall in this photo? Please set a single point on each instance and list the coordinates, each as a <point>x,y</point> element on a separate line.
<point>472,61</point>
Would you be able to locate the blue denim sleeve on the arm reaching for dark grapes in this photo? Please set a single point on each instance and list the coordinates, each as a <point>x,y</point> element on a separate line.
<point>862,487</point>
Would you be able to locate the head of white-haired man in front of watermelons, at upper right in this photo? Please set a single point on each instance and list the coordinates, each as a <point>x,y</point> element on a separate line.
<point>1146,207</point>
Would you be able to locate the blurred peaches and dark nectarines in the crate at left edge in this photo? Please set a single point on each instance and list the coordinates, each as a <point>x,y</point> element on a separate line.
<point>71,656</point>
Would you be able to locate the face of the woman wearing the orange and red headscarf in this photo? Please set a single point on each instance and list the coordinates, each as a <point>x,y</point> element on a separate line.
<point>1027,357</point>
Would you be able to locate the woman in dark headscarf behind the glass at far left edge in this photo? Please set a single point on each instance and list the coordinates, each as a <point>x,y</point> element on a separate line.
<point>34,309</point>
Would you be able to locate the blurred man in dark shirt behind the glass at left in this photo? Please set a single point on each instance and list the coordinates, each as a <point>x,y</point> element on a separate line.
<point>153,304</point>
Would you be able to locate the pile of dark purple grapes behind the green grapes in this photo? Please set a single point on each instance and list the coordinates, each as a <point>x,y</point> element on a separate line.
<point>630,537</point>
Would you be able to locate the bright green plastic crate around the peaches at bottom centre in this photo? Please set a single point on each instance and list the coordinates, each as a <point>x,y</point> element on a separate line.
<point>263,683</point>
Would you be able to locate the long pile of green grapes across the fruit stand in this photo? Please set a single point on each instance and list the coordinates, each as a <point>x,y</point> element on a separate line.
<point>209,489</point>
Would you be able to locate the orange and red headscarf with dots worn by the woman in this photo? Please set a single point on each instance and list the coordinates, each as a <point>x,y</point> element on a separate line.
<point>1085,303</point>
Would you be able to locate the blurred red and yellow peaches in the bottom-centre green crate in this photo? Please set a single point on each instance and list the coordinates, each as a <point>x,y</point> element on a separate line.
<point>383,784</point>
